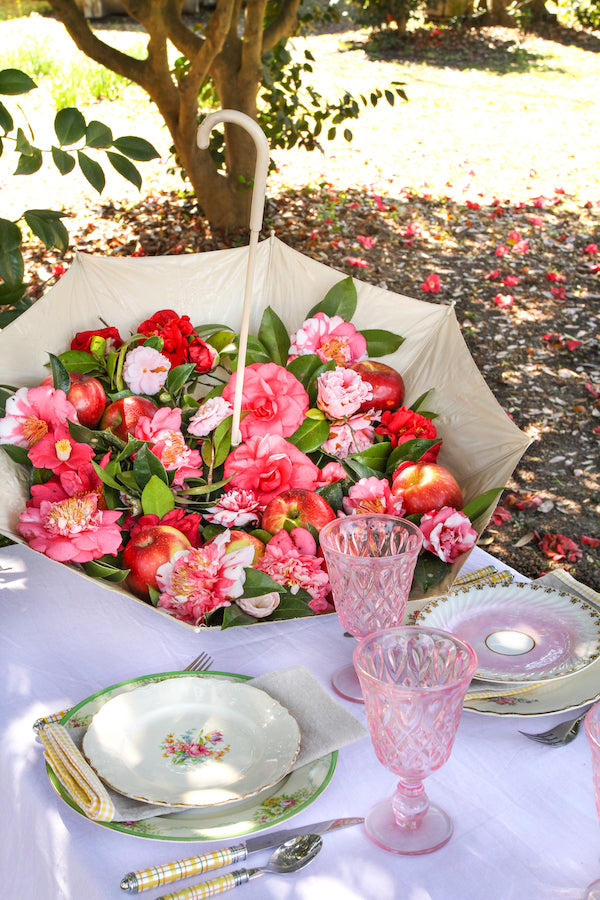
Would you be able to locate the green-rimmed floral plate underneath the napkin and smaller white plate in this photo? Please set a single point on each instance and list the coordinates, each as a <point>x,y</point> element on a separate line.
<point>293,793</point>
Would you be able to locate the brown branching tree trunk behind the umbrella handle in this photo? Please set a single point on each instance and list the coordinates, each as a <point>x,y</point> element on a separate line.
<point>234,62</point>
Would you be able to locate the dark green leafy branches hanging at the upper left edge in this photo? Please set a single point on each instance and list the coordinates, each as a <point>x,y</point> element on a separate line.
<point>73,134</point>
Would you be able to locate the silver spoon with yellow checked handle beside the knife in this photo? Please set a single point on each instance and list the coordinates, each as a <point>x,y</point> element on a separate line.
<point>289,857</point>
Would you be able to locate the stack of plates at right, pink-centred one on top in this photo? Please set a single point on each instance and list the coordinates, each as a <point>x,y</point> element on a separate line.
<point>540,643</point>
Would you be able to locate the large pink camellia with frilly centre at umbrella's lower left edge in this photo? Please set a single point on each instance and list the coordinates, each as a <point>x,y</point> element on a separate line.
<point>68,529</point>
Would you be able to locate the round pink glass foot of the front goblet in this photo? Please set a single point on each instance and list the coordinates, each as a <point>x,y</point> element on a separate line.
<point>434,830</point>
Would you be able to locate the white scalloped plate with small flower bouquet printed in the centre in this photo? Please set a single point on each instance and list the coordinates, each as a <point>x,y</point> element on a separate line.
<point>192,742</point>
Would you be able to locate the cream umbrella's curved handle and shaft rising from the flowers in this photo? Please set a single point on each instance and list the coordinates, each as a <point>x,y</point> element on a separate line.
<point>256,217</point>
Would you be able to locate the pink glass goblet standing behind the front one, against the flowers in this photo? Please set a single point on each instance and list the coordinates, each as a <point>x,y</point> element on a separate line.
<point>371,560</point>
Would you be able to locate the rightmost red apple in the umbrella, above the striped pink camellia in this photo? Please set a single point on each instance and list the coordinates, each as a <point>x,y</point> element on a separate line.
<point>425,487</point>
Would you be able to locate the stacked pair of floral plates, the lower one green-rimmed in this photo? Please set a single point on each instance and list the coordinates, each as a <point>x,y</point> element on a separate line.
<point>214,750</point>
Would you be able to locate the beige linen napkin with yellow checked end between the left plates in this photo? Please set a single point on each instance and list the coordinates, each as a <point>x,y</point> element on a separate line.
<point>325,725</point>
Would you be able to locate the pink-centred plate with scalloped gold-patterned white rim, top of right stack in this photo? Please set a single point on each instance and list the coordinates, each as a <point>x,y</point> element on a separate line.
<point>520,632</point>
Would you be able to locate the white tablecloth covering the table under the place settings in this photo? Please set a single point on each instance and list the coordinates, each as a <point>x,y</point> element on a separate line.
<point>524,814</point>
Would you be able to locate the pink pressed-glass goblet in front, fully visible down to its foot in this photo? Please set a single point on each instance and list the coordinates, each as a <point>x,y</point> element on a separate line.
<point>414,680</point>
